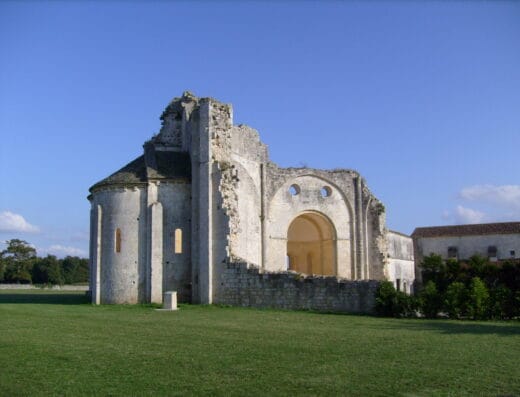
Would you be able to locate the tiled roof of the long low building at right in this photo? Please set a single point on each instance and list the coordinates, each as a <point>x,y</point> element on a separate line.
<point>468,230</point>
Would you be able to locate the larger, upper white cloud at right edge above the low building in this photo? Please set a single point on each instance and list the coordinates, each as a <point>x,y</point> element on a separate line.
<point>505,195</point>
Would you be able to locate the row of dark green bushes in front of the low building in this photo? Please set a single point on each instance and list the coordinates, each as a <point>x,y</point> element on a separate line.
<point>473,289</point>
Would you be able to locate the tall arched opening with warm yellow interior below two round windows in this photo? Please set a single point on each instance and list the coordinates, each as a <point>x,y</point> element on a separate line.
<point>311,245</point>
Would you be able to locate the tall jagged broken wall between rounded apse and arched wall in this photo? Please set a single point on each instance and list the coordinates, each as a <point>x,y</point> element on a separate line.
<point>236,157</point>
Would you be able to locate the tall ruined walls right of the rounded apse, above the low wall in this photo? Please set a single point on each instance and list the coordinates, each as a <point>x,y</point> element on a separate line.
<point>244,208</point>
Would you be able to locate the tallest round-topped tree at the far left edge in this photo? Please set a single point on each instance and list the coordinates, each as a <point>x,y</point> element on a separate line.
<point>17,261</point>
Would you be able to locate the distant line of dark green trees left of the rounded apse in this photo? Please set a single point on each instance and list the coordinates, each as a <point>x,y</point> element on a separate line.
<point>19,264</point>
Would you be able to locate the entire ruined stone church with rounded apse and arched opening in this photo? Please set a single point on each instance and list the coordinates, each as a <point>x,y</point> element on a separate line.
<point>204,212</point>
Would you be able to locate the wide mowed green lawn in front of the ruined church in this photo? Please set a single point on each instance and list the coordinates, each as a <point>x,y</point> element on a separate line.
<point>55,343</point>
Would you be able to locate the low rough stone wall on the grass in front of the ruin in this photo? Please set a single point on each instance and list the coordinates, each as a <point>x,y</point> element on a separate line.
<point>243,285</point>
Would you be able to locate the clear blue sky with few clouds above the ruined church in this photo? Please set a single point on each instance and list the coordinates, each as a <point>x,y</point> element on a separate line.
<point>422,98</point>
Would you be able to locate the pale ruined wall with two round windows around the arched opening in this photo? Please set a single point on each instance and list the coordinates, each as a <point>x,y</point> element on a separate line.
<point>358,217</point>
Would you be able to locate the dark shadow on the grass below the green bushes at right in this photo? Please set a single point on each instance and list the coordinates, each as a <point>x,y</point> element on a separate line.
<point>454,327</point>
